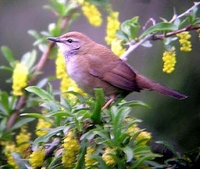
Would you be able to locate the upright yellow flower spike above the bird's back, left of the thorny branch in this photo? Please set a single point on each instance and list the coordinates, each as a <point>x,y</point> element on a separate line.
<point>112,26</point>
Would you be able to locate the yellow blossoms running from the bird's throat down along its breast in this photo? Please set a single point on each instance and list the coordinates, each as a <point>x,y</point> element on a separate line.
<point>66,84</point>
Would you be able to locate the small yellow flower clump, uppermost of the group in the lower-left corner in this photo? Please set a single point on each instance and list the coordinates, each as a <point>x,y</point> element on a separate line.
<point>41,126</point>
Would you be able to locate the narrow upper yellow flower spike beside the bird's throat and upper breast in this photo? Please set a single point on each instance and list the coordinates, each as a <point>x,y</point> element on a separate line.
<point>60,66</point>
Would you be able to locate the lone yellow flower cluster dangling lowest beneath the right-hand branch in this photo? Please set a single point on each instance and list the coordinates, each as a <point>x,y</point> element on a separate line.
<point>169,59</point>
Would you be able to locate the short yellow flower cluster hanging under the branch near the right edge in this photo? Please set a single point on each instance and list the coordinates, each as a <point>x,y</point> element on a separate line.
<point>186,45</point>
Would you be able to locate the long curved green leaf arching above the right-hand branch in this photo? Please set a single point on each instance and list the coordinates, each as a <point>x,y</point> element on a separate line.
<point>163,26</point>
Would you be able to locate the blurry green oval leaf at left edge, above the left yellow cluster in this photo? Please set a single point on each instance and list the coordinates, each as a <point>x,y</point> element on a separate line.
<point>7,53</point>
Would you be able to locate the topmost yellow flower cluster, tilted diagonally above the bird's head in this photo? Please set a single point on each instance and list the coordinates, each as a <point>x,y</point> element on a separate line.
<point>92,14</point>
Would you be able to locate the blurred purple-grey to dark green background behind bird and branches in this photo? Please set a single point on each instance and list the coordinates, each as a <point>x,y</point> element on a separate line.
<point>168,119</point>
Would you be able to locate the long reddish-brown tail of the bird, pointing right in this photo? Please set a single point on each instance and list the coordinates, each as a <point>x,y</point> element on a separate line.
<point>145,83</point>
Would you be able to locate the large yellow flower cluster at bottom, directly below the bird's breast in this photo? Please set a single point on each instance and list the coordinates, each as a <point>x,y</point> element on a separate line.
<point>71,148</point>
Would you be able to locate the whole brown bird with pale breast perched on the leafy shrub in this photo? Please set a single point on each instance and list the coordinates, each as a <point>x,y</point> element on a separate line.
<point>93,65</point>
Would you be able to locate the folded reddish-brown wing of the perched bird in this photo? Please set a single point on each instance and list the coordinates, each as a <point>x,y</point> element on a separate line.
<point>117,73</point>
